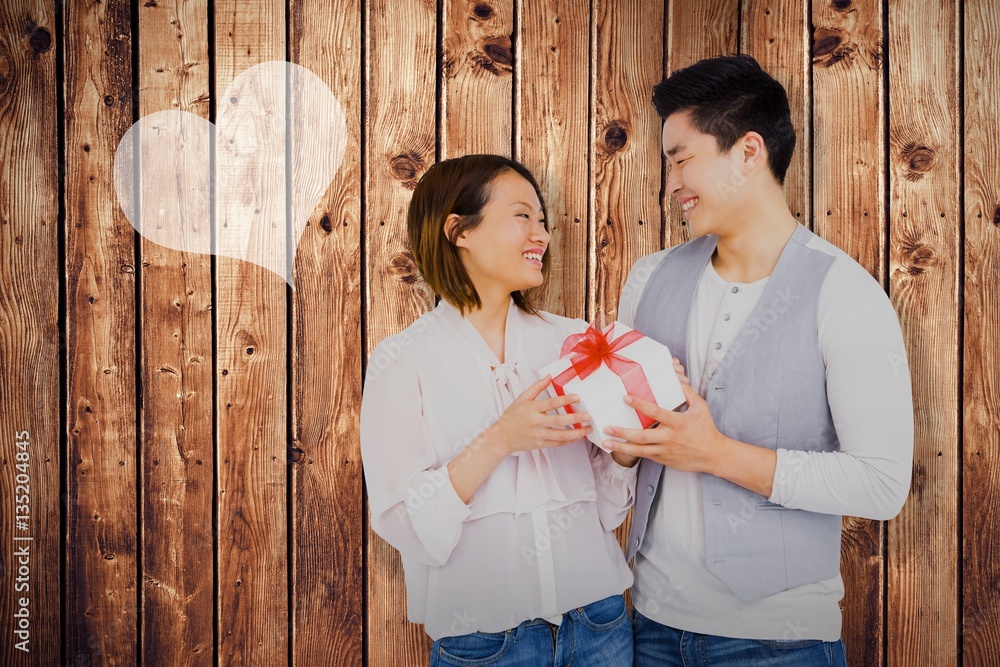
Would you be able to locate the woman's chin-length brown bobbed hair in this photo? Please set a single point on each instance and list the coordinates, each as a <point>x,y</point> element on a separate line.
<point>460,186</point>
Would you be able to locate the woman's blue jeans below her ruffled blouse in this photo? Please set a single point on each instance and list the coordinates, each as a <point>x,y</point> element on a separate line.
<point>597,635</point>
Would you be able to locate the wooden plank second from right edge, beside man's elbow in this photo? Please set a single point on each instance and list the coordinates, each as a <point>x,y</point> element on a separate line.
<point>922,553</point>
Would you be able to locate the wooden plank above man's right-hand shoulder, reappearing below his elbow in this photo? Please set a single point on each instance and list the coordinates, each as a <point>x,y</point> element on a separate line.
<point>848,195</point>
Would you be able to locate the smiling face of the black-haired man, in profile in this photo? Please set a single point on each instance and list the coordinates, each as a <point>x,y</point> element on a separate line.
<point>705,182</point>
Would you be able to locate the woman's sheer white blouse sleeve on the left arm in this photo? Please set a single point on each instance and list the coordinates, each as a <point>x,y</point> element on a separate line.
<point>413,504</point>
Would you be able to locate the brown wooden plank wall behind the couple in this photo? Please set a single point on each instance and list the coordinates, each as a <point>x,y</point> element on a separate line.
<point>193,465</point>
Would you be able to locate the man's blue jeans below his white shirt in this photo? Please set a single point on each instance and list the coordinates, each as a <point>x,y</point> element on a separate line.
<point>663,646</point>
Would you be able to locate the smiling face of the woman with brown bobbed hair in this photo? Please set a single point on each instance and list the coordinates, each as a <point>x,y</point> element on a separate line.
<point>505,250</point>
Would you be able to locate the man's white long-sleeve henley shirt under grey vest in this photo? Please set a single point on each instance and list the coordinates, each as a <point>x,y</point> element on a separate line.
<point>868,389</point>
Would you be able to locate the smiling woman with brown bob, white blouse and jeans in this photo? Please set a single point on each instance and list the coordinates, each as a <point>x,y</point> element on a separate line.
<point>501,511</point>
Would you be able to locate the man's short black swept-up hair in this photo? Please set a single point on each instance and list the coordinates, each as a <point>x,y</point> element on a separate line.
<point>728,96</point>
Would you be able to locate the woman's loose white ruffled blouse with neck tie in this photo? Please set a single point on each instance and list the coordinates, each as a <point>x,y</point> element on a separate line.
<point>535,540</point>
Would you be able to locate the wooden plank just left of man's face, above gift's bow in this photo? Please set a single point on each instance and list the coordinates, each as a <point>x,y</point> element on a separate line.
<point>625,150</point>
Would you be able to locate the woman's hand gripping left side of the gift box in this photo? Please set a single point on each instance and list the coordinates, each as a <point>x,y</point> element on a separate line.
<point>524,425</point>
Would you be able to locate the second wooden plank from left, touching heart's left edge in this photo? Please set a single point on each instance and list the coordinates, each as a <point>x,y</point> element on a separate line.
<point>101,568</point>
